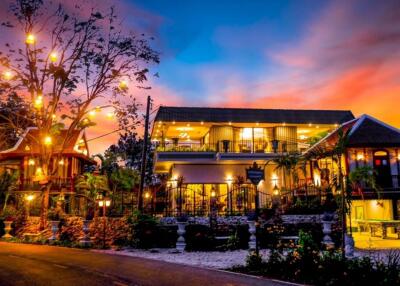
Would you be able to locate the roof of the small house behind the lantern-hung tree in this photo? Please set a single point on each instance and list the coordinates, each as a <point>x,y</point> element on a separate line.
<point>28,144</point>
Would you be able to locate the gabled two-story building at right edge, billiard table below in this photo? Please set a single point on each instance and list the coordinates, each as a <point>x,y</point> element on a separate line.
<point>369,142</point>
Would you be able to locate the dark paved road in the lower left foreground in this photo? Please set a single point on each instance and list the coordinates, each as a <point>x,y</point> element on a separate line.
<point>24,264</point>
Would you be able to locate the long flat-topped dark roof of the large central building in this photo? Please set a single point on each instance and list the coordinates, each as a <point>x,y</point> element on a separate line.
<point>248,115</point>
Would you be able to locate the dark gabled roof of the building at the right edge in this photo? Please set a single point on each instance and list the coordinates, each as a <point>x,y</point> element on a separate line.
<point>365,131</point>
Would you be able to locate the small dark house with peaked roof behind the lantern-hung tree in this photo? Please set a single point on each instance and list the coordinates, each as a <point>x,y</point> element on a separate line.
<point>70,154</point>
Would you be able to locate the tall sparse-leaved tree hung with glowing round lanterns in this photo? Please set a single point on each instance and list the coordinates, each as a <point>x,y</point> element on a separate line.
<point>66,66</point>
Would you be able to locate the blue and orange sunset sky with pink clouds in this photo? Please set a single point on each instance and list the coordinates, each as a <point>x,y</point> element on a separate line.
<point>271,54</point>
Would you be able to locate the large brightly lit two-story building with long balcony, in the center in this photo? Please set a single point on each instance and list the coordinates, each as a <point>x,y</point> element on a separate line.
<point>206,152</point>
